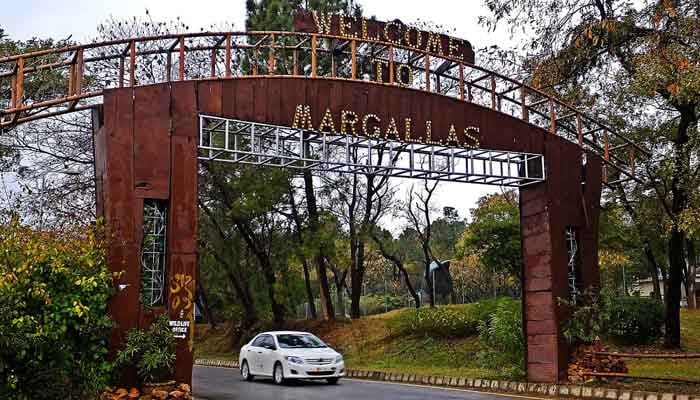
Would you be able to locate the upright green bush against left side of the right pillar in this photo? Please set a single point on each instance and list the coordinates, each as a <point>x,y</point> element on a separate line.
<point>502,336</point>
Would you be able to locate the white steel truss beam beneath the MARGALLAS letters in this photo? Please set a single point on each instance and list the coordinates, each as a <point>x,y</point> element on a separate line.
<point>246,142</point>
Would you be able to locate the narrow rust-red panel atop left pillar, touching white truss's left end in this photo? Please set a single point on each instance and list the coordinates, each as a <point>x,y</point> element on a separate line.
<point>183,109</point>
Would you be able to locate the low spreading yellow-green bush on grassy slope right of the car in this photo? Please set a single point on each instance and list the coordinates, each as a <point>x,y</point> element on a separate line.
<point>445,321</point>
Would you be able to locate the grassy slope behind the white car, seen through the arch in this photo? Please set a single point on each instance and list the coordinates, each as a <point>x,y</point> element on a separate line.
<point>375,343</point>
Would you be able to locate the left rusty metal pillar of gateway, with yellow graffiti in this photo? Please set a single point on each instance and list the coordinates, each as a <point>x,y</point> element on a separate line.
<point>145,144</point>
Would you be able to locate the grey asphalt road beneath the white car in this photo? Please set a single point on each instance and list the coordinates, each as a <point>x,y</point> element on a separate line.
<point>211,383</point>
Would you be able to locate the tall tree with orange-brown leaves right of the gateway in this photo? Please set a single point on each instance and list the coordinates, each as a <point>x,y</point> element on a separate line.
<point>644,56</point>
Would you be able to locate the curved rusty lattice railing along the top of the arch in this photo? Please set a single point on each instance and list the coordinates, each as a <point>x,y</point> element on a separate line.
<point>80,74</point>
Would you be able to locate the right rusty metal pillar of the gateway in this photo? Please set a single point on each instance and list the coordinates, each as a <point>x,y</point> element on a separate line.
<point>567,201</point>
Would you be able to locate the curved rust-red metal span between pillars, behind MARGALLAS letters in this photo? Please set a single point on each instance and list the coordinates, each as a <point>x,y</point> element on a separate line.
<point>272,100</point>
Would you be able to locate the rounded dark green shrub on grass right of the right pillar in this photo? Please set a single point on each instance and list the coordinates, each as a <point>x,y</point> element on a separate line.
<point>635,320</point>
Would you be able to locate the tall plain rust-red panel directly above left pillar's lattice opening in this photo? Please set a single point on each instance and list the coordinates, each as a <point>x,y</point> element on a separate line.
<point>152,141</point>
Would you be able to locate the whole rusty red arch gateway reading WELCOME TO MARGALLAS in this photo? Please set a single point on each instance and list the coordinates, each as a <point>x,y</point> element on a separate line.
<point>331,98</point>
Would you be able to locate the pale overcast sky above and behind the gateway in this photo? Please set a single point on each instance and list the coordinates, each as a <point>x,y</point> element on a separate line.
<point>79,18</point>
